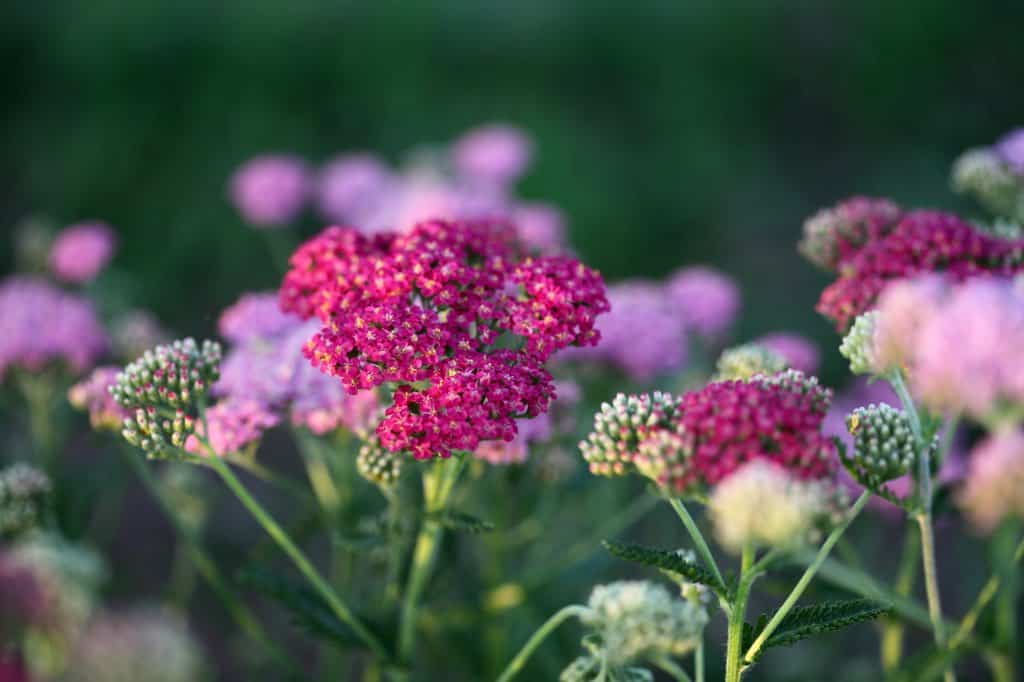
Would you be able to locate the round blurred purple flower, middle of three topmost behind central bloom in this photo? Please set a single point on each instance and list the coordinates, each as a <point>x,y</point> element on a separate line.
<point>355,187</point>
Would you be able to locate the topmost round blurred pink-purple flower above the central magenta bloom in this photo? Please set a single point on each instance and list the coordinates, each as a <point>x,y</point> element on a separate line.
<point>496,154</point>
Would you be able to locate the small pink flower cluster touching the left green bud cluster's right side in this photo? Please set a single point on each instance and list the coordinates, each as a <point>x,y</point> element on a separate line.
<point>234,425</point>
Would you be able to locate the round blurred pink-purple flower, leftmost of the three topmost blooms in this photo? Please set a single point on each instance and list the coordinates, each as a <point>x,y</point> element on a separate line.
<point>271,191</point>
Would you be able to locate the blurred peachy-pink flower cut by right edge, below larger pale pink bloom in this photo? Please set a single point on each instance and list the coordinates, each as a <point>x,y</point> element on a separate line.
<point>994,490</point>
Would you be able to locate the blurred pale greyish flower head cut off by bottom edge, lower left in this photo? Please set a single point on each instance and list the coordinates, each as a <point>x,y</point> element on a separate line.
<point>141,645</point>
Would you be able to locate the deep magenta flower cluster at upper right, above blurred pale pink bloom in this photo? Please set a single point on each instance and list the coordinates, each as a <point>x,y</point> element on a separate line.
<point>920,242</point>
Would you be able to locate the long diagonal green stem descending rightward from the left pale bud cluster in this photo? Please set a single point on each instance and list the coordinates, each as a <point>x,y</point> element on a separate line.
<point>302,563</point>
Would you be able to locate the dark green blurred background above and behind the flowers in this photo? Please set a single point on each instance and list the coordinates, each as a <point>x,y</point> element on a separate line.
<point>671,133</point>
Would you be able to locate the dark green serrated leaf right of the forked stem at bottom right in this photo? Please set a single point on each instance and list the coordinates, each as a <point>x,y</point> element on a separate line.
<point>805,622</point>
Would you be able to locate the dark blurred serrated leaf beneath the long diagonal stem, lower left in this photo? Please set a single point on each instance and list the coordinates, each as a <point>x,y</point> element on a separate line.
<point>309,610</point>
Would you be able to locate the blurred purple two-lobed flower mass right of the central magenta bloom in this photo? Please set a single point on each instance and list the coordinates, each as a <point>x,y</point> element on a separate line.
<point>695,302</point>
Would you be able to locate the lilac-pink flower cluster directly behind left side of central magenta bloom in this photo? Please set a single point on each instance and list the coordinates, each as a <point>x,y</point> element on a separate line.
<point>267,365</point>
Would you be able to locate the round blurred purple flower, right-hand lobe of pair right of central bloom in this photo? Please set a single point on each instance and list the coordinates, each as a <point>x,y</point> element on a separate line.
<point>708,300</point>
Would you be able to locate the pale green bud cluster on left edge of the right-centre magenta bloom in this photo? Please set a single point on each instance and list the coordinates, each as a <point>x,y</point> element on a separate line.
<point>621,427</point>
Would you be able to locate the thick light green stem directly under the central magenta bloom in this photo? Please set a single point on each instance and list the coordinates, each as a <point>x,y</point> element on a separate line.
<point>438,488</point>
